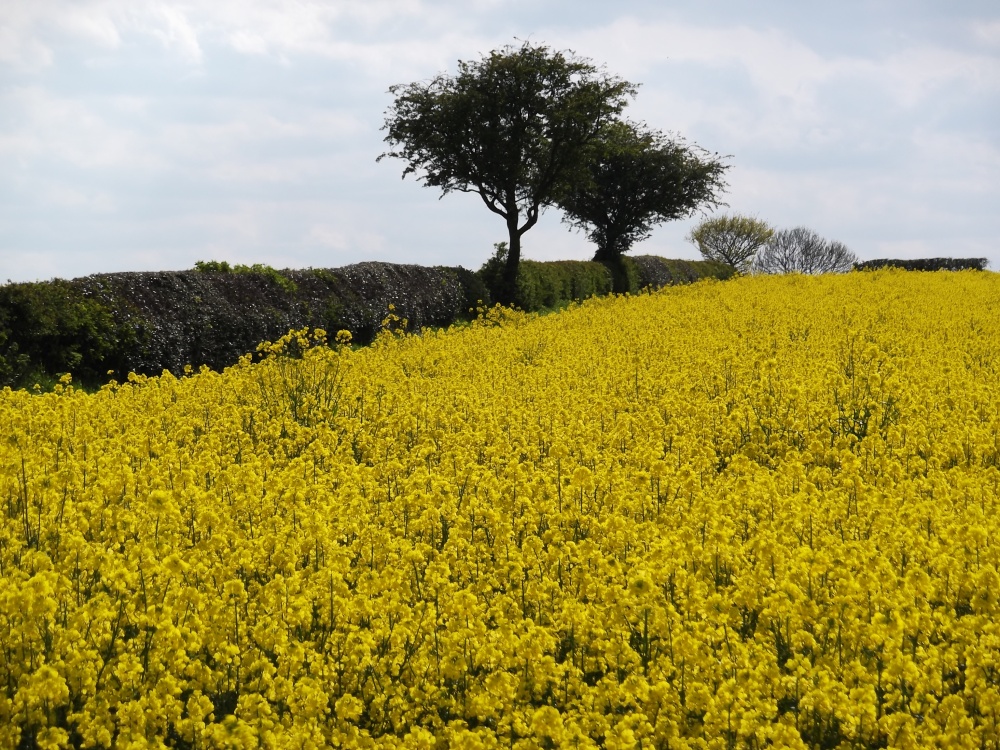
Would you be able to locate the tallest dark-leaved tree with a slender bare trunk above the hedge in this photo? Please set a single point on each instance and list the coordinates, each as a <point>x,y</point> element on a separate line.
<point>513,127</point>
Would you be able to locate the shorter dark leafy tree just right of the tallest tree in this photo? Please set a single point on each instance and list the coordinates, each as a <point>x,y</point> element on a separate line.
<point>635,179</point>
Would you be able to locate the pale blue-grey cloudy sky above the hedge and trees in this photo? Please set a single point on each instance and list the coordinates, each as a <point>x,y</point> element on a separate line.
<point>144,135</point>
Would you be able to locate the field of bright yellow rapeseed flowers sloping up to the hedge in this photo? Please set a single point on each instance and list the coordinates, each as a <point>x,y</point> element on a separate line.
<point>760,513</point>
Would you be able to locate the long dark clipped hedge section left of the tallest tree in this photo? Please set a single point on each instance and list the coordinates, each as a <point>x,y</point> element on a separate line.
<point>149,322</point>
